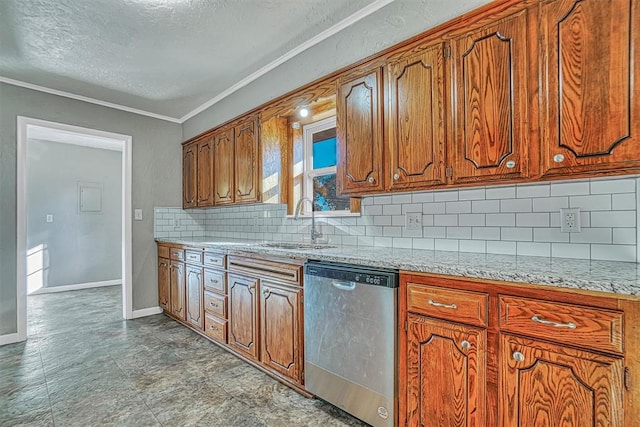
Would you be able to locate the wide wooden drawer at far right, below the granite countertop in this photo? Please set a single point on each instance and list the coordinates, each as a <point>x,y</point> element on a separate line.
<point>588,327</point>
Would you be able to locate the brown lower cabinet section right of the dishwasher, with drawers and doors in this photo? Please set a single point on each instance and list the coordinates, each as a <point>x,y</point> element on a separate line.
<point>481,353</point>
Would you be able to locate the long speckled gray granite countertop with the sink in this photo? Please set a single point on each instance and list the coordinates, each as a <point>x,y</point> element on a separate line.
<point>604,276</point>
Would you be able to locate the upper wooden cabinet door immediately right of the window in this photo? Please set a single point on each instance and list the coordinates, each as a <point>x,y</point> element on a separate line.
<point>360,139</point>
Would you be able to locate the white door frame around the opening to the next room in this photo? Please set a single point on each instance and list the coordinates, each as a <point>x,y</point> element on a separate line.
<point>125,145</point>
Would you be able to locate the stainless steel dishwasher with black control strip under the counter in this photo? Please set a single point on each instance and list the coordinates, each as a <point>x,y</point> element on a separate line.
<point>350,317</point>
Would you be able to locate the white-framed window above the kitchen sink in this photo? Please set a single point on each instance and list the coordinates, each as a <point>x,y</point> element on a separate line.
<point>319,176</point>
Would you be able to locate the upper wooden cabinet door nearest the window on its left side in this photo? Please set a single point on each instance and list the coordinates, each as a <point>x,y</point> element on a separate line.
<point>246,162</point>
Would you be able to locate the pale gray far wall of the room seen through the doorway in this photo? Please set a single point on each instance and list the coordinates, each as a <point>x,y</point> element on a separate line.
<point>77,247</point>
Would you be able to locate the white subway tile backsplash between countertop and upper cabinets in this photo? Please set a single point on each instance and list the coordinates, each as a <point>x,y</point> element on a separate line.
<point>521,219</point>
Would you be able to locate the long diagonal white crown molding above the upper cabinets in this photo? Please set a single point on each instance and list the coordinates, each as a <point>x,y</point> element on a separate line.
<point>349,20</point>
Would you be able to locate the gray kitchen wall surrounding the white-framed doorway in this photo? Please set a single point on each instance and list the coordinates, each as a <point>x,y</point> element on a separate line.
<point>156,181</point>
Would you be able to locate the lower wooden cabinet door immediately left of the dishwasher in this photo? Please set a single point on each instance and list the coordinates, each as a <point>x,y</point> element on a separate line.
<point>281,332</point>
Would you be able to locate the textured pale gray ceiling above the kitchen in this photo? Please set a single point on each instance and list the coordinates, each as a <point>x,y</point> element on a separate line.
<point>167,57</point>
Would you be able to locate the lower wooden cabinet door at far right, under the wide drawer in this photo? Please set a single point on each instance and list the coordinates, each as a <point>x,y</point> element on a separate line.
<point>549,385</point>
